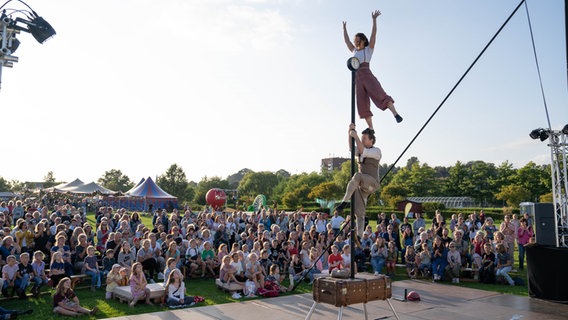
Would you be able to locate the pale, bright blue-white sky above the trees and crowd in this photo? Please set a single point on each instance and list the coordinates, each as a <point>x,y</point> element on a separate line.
<point>220,85</point>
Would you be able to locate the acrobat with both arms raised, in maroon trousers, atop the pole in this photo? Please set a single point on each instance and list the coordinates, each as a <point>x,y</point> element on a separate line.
<point>368,87</point>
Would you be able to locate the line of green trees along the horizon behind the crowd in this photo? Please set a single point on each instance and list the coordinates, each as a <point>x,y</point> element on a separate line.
<point>488,184</point>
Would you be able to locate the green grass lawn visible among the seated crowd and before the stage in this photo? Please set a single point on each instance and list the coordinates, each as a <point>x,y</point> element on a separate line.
<point>202,287</point>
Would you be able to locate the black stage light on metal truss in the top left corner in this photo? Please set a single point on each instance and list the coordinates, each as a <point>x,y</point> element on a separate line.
<point>14,21</point>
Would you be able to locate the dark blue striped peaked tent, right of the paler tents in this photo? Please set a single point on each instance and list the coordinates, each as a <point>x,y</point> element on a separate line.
<point>145,196</point>
